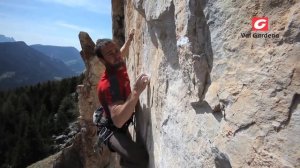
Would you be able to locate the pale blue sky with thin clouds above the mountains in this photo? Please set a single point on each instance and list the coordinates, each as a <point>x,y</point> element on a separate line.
<point>55,22</point>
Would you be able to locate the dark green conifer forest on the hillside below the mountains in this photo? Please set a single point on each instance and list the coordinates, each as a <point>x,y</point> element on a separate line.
<point>30,117</point>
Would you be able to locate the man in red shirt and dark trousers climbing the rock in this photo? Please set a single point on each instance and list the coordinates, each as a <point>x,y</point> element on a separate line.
<point>119,101</point>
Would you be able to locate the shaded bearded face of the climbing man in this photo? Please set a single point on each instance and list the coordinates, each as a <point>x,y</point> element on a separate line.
<point>111,54</point>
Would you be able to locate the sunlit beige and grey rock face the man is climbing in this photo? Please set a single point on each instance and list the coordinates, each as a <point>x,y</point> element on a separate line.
<point>217,99</point>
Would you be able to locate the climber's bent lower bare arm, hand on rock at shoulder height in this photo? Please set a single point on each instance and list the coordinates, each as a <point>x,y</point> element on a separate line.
<point>122,111</point>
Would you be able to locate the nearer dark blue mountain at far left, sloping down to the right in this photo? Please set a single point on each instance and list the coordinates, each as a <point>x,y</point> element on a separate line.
<point>22,65</point>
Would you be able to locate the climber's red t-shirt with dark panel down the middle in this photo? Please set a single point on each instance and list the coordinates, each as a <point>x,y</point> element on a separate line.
<point>113,86</point>
